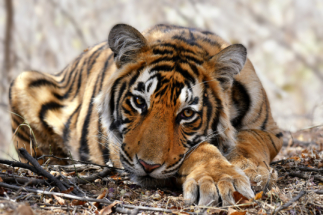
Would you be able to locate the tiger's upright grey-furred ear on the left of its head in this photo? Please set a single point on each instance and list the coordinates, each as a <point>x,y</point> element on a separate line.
<point>126,42</point>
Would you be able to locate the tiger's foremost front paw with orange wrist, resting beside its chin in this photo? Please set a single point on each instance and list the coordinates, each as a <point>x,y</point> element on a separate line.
<point>207,177</point>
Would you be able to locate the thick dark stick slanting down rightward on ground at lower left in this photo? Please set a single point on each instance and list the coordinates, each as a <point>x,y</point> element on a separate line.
<point>40,170</point>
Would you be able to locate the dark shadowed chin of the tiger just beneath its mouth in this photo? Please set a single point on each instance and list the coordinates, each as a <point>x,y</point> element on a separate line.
<point>150,182</point>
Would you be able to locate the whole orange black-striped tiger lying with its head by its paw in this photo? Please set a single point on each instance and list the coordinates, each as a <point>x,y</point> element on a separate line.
<point>171,106</point>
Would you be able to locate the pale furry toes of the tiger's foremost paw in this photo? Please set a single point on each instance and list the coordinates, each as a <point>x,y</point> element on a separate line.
<point>207,185</point>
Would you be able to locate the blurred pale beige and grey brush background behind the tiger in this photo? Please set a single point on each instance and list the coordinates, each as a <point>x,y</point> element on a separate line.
<point>284,41</point>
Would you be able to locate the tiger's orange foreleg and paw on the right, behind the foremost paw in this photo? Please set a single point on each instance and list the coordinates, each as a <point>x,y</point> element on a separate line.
<point>253,153</point>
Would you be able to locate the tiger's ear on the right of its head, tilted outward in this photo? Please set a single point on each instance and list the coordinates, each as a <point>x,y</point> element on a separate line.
<point>229,62</point>
